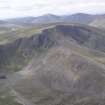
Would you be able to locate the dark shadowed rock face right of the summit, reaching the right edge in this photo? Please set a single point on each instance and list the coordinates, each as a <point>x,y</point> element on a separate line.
<point>85,36</point>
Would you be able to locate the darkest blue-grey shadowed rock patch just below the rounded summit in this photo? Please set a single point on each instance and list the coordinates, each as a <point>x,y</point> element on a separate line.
<point>75,32</point>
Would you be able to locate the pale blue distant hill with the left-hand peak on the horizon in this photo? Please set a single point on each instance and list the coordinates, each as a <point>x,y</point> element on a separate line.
<point>47,18</point>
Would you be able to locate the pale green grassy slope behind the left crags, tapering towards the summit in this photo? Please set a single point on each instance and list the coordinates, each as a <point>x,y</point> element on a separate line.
<point>8,35</point>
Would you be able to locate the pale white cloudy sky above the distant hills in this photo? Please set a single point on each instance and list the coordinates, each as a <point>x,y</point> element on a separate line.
<point>22,8</point>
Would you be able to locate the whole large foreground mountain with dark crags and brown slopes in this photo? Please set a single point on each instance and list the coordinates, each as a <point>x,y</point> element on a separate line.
<point>63,64</point>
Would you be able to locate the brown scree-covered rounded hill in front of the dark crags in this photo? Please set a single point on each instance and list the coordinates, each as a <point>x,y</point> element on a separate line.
<point>62,77</point>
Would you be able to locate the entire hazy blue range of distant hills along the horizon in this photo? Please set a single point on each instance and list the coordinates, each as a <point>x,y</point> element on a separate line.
<point>50,18</point>
